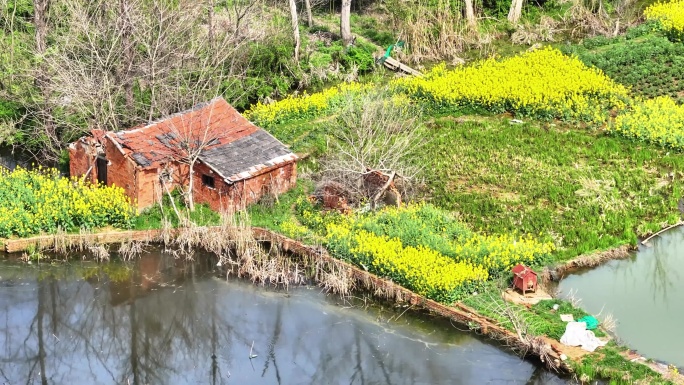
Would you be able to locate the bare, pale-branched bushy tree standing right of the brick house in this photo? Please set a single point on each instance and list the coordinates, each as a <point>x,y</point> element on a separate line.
<point>374,137</point>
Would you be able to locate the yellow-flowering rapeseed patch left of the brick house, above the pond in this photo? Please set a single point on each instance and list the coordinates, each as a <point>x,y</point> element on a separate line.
<point>42,201</point>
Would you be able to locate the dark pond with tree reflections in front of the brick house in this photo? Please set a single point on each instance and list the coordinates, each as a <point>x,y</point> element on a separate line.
<point>167,322</point>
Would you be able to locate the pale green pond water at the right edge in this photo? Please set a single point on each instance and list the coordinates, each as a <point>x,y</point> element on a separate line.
<point>645,294</point>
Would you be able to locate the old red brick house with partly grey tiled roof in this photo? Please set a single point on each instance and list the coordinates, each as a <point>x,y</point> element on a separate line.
<point>236,162</point>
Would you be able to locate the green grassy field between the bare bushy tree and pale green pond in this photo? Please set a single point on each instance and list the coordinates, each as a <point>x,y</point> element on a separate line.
<point>586,190</point>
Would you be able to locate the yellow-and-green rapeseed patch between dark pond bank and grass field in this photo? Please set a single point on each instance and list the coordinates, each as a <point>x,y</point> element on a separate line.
<point>426,250</point>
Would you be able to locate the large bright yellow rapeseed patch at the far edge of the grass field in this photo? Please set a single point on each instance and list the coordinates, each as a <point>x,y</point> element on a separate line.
<point>542,83</point>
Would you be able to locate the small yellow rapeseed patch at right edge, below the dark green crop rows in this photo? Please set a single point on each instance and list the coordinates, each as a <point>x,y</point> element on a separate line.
<point>659,121</point>
